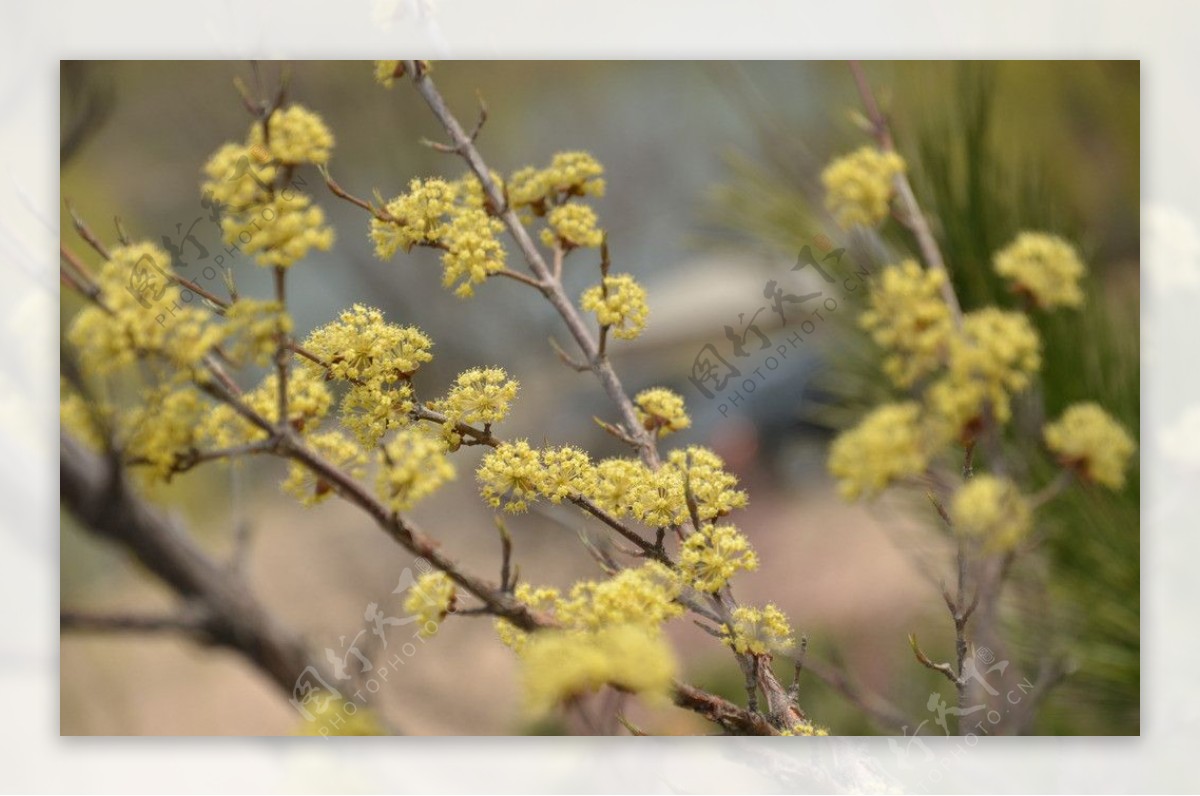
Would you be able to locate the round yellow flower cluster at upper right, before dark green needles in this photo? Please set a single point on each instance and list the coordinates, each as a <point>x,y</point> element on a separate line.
<point>1043,267</point>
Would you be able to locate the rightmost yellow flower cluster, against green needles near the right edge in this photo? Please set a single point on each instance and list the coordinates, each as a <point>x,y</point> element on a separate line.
<point>1088,439</point>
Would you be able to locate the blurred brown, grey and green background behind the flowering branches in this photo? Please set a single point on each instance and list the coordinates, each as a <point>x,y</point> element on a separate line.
<point>712,176</point>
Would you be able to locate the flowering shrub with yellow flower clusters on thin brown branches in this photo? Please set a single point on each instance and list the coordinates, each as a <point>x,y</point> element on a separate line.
<point>349,411</point>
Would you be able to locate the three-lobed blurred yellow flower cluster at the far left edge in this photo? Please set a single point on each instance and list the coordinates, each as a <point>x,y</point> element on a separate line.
<point>141,314</point>
